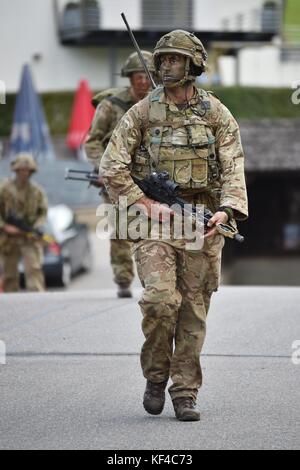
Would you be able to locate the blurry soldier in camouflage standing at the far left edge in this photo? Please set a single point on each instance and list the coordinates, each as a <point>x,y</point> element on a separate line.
<point>27,201</point>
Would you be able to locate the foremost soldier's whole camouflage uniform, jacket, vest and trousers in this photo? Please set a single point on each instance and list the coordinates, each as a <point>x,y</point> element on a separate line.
<point>201,149</point>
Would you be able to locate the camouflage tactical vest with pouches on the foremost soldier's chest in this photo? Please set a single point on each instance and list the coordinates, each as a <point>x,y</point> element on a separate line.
<point>183,146</point>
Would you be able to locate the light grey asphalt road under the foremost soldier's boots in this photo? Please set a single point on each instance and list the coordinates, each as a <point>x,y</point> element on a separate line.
<point>72,378</point>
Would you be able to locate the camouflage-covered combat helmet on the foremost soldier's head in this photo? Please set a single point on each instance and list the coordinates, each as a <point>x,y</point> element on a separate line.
<point>184,43</point>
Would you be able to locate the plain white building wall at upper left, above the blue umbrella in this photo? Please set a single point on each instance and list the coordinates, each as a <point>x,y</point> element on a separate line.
<point>27,27</point>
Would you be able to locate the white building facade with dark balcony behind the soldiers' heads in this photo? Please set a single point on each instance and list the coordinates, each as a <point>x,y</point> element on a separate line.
<point>65,41</point>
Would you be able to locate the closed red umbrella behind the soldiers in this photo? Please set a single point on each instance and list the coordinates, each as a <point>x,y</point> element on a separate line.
<point>82,115</point>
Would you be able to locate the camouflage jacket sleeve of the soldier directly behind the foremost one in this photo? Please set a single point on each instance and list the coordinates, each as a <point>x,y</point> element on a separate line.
<point>108,113</point>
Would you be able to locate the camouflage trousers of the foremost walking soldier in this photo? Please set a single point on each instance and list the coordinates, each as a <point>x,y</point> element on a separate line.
<point>178,288</point>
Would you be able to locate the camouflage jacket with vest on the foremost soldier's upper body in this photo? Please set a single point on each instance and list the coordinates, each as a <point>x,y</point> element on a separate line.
<point>182,146</point>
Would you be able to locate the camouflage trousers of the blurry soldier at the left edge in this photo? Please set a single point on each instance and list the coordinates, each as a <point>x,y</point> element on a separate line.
<point>31,252</point>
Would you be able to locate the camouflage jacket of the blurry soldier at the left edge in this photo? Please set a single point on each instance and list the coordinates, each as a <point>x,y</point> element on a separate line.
<point>29,204</point>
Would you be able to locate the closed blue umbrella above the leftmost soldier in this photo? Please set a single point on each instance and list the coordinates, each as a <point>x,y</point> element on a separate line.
<point>30,132</point>
